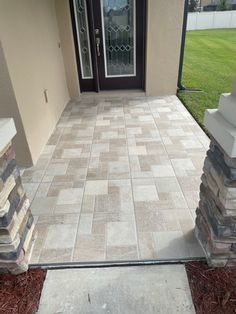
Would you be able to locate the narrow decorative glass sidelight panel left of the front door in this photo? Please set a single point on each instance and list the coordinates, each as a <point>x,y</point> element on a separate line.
<point>83,38</point>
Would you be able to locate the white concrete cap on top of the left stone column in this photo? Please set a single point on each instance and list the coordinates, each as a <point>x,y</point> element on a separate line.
<point>7,132</point>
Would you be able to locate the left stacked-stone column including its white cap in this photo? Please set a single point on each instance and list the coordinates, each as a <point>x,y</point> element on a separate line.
<point>16,220</point>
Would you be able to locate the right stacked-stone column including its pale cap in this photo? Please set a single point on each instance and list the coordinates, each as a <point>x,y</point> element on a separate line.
<point>216,215</point>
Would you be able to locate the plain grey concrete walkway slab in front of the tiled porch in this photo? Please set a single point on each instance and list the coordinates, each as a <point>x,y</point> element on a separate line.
<point>133,290</point>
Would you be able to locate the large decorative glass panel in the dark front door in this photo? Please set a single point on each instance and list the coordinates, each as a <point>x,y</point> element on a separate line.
<point>118,23</point>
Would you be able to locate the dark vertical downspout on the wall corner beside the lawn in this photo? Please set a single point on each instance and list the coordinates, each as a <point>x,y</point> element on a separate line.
<point>181,61</point>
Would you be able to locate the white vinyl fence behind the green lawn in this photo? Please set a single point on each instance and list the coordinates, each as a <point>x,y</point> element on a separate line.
<point>210,20</point>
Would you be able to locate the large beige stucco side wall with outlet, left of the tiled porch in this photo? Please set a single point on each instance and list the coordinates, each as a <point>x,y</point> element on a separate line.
<point>30,40</point>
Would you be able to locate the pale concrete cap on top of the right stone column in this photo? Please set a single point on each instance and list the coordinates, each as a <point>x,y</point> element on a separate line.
<point>223,131</point>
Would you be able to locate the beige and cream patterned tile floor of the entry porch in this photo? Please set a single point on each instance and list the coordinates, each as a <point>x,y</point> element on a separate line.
<point>118,180</point>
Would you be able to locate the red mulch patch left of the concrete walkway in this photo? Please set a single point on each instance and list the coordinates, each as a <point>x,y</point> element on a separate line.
<point>20,294</point>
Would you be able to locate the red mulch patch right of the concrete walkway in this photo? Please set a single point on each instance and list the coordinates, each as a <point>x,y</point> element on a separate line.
<point>213,289</point>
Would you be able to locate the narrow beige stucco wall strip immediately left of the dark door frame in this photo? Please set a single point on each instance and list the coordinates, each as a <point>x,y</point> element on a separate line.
<point>67,45</point>
